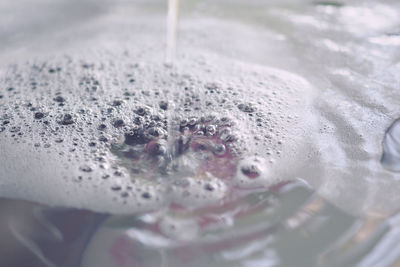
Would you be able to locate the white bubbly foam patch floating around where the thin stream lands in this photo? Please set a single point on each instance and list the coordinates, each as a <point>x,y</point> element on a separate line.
<point>123,137</point>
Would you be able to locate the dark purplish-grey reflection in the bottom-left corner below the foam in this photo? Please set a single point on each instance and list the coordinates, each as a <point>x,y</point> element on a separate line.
<point>37,236</point>
